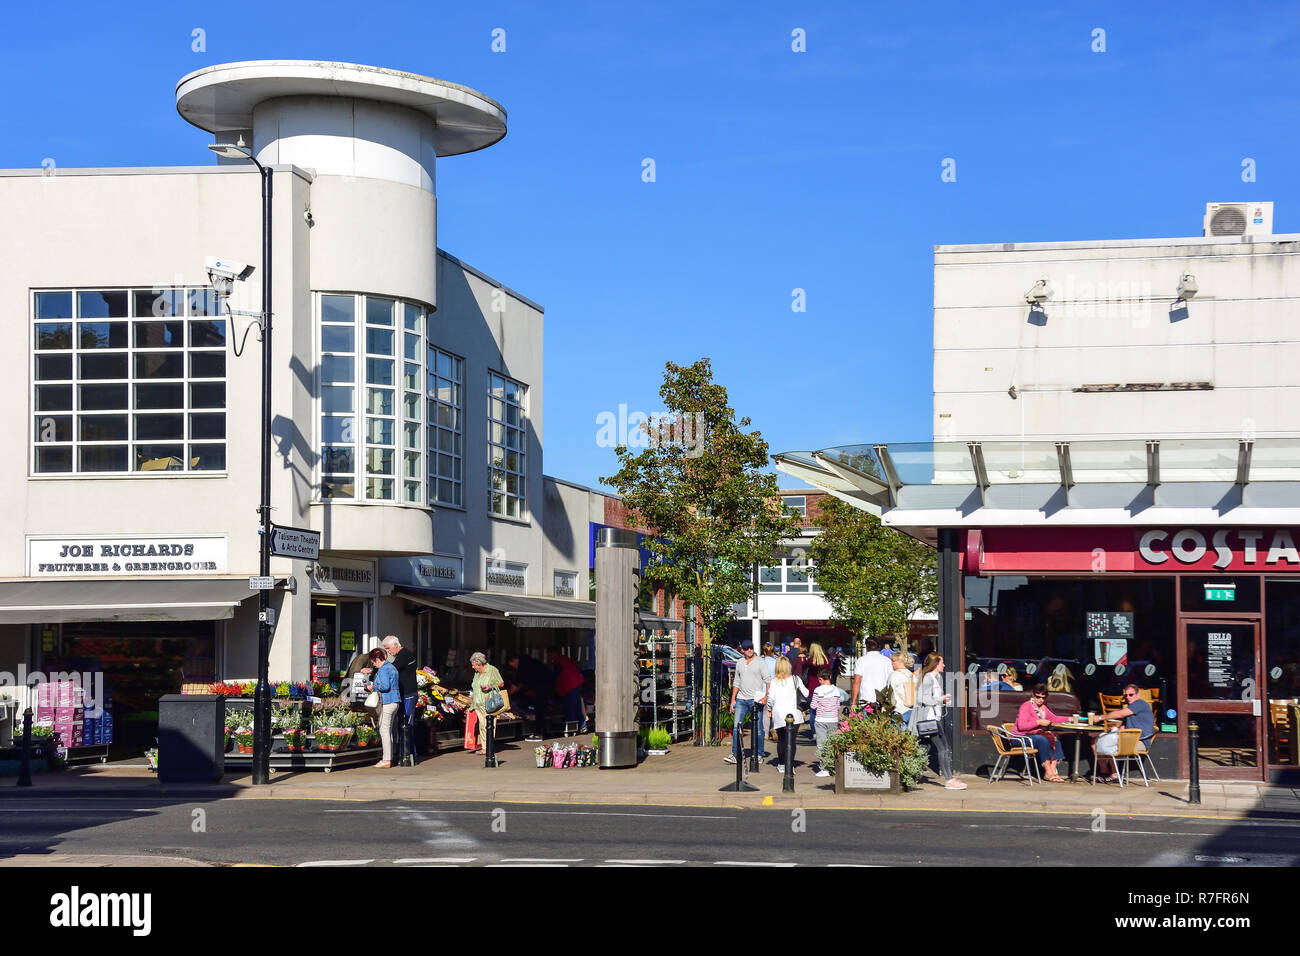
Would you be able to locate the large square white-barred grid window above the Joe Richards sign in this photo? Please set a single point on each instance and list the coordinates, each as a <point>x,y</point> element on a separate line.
<point>112,386</point>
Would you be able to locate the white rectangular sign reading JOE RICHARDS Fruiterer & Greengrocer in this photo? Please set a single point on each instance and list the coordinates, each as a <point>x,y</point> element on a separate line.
<point>124,556</point>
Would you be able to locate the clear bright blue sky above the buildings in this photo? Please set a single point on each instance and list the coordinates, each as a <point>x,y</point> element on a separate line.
<point>774,170</point>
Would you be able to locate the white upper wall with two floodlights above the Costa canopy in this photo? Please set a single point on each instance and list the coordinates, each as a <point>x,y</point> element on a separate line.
<point>1110,322</point>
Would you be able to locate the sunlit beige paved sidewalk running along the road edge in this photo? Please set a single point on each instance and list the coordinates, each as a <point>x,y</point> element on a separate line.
<point>686,777</point>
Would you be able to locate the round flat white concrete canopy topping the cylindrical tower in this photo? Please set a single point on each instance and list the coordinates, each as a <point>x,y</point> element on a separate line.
<point>223,98</point>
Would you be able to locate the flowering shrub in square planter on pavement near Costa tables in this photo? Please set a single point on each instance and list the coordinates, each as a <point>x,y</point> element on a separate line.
<point>874,751</point>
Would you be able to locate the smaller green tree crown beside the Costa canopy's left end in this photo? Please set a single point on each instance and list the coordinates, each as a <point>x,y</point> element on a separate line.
<point>873,577</point>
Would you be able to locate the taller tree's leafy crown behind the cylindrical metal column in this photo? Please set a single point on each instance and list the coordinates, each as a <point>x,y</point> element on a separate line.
<point>697,481</point>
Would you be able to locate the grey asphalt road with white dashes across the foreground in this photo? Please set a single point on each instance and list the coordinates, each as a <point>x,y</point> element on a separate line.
<point>291,833</point>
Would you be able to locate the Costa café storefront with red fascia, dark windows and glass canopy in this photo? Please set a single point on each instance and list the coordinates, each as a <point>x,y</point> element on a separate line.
<point>1087,566</point>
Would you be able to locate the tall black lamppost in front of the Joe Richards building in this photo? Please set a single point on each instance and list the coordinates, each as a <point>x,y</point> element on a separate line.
<point>262,697</point>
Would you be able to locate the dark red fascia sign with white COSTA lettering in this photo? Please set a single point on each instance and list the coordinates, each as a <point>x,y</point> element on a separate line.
<point>1142,551</point>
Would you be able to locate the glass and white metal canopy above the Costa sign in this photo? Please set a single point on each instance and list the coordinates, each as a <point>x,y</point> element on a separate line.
<point>920,487</point>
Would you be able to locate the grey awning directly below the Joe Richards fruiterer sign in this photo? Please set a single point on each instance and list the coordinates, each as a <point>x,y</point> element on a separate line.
<point>53,603</point>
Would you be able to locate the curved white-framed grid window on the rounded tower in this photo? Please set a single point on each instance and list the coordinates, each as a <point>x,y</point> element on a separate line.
<point>370,404</point>
